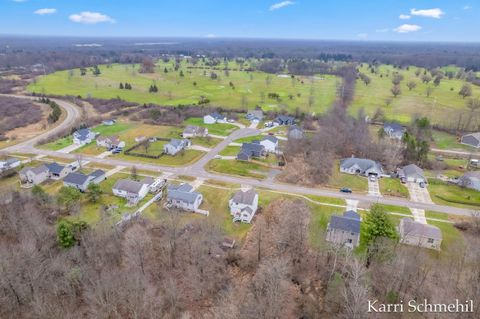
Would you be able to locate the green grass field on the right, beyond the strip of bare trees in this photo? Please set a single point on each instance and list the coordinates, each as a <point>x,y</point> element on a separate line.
<point>442,105</point>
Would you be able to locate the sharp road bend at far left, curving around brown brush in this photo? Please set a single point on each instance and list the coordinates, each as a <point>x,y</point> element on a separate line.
<point>73,114</point>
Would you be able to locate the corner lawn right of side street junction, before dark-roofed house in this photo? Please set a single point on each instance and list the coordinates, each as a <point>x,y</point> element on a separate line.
<point>240,168</point>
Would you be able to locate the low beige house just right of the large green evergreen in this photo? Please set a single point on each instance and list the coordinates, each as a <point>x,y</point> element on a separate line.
<point>418,234</point>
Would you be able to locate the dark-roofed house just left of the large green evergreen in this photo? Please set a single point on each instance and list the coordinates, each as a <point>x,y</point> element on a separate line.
<point>344,230</point>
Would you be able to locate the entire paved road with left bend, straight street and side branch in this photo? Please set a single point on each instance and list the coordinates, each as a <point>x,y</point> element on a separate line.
<point>197,169</point>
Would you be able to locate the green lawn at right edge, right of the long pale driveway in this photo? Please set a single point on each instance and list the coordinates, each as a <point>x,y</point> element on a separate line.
<point>448,194</point>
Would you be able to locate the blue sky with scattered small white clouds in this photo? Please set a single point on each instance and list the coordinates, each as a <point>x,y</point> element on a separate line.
<point>365,20</point>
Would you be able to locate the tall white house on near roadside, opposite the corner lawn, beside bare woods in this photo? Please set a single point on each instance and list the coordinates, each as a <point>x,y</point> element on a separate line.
<point>243,205</point>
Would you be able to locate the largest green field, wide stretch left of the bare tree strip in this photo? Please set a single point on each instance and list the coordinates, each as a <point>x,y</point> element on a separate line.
<point>250,88</point>
